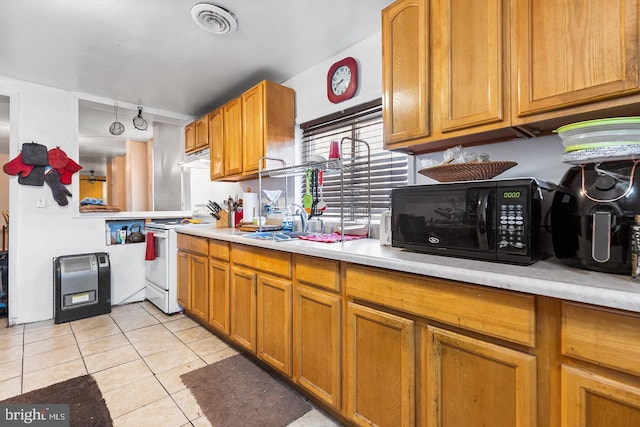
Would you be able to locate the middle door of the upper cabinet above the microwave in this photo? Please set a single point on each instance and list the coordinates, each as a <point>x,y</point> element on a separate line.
<point>469,64</point>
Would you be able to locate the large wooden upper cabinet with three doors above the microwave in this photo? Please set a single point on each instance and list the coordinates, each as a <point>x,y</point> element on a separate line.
<point>488,70</point>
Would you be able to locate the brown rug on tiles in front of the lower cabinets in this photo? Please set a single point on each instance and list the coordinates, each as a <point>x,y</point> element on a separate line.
<point>236,392</point>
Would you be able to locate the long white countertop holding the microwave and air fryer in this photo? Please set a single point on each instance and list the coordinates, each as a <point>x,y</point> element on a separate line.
<point>548,277</point>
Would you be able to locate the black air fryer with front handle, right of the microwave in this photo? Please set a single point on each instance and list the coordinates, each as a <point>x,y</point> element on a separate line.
<point>592,213</point>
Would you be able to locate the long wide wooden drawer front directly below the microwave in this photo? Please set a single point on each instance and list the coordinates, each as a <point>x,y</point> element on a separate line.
<point>497,313</point>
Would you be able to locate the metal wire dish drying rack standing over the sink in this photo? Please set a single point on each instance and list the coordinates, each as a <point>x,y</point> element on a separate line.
<point>359,186</point>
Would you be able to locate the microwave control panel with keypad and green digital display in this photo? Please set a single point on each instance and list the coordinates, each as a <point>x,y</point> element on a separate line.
<point>512,212</point>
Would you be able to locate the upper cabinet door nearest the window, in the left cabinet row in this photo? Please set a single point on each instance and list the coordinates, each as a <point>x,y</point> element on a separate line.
<point>253,124</point>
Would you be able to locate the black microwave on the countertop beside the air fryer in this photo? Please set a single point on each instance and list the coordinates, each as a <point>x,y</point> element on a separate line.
<point>494,220</point>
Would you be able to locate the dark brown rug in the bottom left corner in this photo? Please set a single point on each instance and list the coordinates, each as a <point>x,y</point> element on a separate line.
<point>86,404</point>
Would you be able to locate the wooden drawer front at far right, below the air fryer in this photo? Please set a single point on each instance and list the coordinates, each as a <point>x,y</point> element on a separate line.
<point>603,336</point>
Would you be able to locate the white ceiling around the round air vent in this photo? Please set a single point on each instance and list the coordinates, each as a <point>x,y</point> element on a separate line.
<point>151,53</point>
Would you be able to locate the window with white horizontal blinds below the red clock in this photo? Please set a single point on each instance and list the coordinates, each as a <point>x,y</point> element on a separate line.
<point>388,169</point>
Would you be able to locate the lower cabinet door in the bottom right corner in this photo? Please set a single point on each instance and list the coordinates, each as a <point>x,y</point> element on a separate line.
<point>593,400</point>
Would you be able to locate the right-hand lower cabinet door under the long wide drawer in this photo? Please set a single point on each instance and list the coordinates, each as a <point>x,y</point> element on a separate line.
<point>475,383</point>
